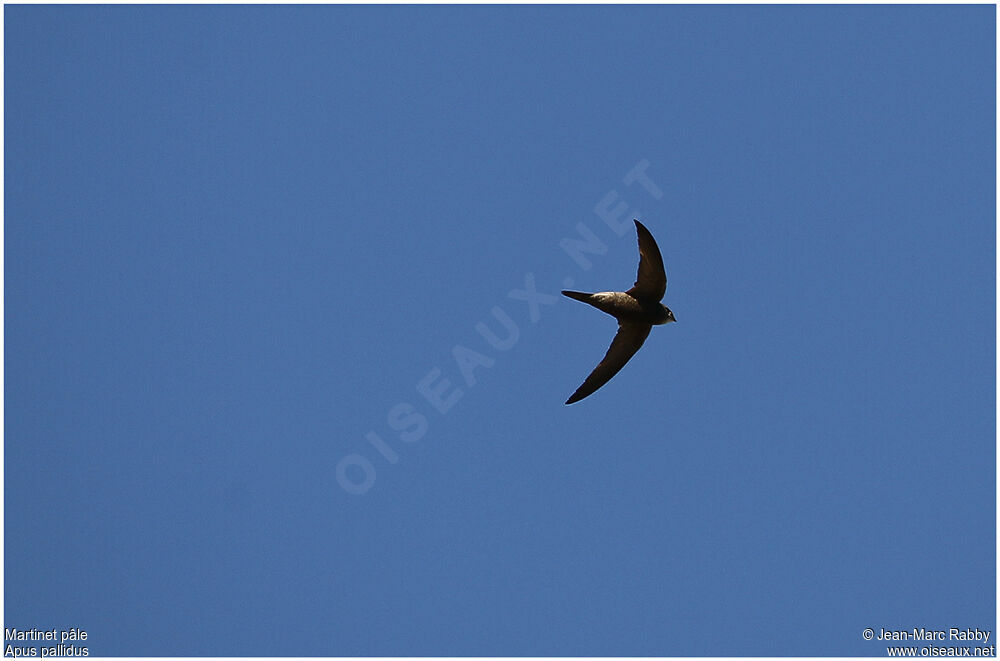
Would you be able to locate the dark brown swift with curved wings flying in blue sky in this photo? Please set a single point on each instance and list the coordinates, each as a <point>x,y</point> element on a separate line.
<point>637,311</point>
